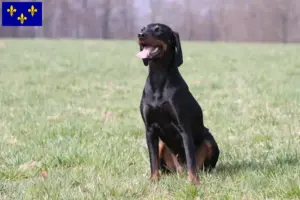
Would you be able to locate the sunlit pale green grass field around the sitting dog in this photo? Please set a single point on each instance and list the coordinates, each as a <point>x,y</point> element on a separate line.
<point>71,108</point>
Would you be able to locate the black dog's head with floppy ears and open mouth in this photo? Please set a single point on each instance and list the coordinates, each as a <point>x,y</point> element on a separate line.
<point>159,42</point>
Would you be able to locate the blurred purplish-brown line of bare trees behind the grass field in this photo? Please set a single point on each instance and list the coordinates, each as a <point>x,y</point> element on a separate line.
<point>205,20</point>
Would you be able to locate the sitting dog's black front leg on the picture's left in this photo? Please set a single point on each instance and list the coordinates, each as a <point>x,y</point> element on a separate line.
<point>152,143</point>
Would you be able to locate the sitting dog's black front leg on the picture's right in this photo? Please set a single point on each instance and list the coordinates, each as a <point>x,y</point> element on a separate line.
<point>190,155</point>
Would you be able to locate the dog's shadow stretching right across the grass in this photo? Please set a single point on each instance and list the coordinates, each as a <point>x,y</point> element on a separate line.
<point>258,165</point>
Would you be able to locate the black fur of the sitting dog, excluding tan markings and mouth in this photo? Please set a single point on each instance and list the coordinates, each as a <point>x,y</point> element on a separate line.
<point>169,110</point>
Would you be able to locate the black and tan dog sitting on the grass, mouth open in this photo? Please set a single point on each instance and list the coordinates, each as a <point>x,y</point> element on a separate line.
<point>175,132</point>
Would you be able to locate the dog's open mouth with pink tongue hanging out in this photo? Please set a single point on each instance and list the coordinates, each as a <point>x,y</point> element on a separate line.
<point>150,51</point>
